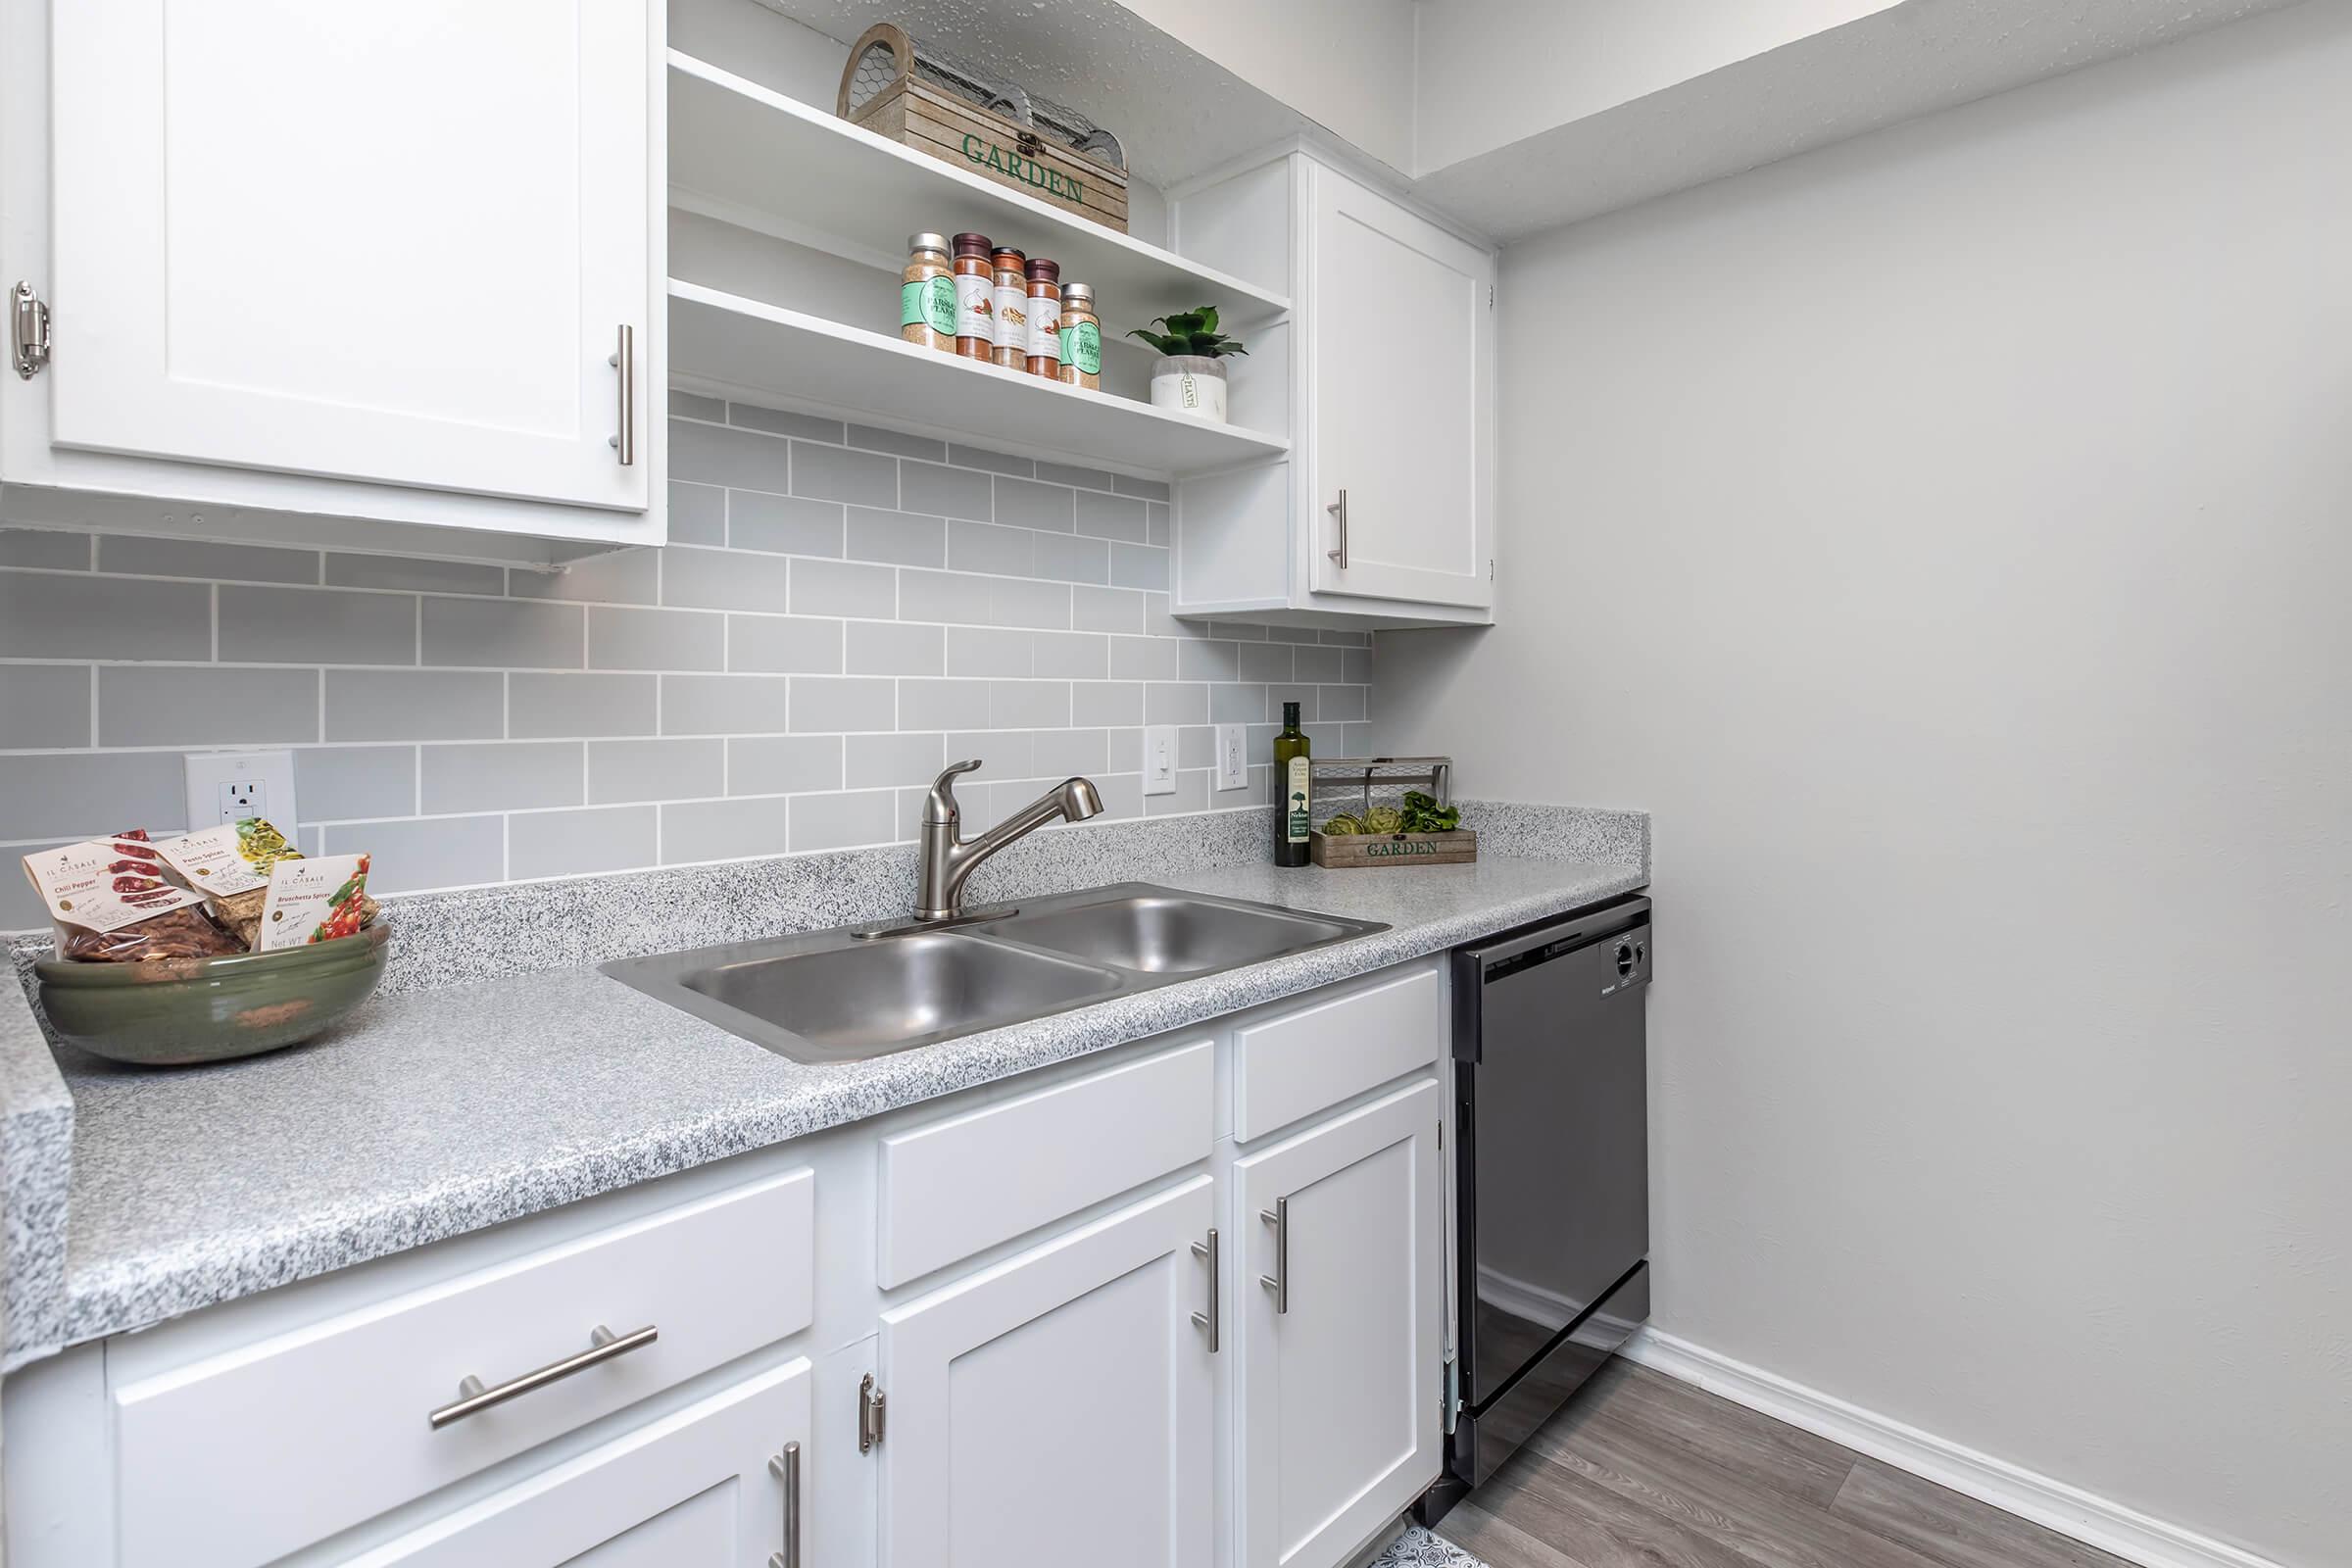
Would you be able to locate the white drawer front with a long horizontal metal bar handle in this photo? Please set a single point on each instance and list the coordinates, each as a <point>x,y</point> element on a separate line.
<point>267,1447</point>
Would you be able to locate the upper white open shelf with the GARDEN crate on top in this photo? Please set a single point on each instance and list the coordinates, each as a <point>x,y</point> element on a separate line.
<point>813,175</point>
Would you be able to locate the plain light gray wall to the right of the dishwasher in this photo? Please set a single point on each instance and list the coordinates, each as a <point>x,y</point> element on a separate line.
<point>1946,537</point>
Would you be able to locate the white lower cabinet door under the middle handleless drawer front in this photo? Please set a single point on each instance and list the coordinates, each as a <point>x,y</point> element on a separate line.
<point>1053,1412</point>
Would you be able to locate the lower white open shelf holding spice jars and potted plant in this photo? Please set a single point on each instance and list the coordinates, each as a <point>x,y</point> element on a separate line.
<point>754,349</point>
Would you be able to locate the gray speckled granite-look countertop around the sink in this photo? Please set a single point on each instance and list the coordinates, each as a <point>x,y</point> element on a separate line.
<point>441,1111</point>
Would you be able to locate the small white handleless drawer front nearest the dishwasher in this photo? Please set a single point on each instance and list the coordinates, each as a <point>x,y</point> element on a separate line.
<point>1316,1057</point>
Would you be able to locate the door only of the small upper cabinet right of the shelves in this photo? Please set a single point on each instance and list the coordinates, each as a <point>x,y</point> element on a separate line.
<point>1403,403</point>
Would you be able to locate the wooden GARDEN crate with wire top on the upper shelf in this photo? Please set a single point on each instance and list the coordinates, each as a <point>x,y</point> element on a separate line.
<point>918,107</point>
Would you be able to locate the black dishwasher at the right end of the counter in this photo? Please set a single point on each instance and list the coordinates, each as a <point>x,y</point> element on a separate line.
<point>1551,1174</point>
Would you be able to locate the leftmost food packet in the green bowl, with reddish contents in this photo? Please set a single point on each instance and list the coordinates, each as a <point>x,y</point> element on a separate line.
<point>114,902</point>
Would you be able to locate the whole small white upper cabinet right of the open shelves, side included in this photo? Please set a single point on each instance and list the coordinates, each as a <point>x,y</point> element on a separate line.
<point>1384,380</point>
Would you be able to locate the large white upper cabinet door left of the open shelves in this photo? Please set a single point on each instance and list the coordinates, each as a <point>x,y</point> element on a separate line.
<point>375,243</point>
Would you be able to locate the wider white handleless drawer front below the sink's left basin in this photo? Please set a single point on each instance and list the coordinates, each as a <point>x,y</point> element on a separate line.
<point>965,1184</point>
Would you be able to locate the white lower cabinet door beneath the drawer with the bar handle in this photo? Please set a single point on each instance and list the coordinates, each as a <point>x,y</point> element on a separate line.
<point>695,1489</point>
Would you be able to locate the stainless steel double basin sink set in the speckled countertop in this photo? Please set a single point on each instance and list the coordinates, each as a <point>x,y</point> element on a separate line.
<point>869,991</point>
